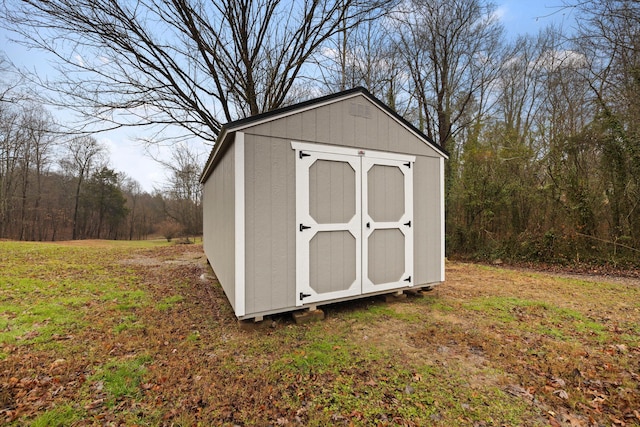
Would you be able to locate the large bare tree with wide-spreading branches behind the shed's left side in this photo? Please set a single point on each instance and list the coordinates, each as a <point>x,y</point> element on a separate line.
<point>191,63</point>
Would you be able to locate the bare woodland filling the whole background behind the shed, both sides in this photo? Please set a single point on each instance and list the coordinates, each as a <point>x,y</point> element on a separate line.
<point>543,130</point>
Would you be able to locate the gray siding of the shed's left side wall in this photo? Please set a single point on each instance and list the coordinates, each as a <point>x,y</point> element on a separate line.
<point>218,223</point>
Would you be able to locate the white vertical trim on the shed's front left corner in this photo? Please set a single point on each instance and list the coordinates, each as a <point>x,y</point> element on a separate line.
<point>240,305</point>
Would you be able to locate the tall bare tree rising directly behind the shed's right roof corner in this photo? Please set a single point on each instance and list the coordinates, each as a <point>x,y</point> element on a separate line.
<point>451,49</point>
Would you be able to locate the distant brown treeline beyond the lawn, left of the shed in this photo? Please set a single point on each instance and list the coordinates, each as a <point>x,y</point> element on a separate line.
<point>60,187</point>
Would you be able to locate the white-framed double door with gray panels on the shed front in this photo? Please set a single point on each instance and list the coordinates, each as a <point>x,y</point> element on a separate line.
<point>353,222</point>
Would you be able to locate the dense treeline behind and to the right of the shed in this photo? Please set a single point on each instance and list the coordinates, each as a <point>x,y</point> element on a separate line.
<point>543,130</point>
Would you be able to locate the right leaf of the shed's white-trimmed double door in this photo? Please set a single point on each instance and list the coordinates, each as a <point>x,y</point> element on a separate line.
<point>387,191</point>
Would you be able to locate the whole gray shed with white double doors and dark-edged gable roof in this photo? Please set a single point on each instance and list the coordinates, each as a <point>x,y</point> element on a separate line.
<point>328,200</point>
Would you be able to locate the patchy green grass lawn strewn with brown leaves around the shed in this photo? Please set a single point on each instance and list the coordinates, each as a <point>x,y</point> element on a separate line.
<point>139,333</point>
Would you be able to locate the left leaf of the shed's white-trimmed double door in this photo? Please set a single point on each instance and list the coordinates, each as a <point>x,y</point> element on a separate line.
<point>328,214</point>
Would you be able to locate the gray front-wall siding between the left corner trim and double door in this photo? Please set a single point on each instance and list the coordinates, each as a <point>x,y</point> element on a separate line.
<point>269,224</point>
